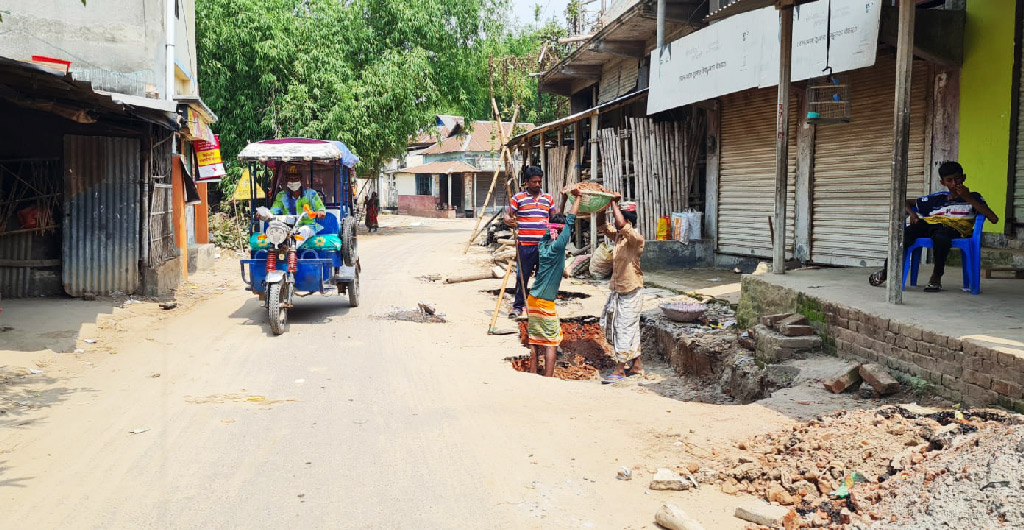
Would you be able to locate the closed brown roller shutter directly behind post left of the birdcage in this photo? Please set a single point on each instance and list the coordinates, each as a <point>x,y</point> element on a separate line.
<point>747,175</point>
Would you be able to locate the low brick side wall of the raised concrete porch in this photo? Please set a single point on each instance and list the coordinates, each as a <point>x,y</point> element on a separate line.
<point>961,371</point>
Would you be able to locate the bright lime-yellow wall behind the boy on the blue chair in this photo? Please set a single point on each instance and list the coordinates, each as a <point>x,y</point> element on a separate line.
<point>987,99</point>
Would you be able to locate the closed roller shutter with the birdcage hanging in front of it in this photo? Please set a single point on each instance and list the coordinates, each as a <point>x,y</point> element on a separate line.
<point>854,165</point>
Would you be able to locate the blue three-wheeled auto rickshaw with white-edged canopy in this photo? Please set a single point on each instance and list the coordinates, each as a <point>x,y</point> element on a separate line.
<point>282,262</point>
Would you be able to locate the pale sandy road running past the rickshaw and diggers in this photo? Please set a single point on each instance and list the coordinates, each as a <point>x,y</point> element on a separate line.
<point>349,421</point>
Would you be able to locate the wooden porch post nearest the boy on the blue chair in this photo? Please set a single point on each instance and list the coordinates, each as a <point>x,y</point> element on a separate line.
<point>902,142</point>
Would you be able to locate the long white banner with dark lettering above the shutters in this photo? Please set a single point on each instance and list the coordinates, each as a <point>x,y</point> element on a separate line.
<point>742,52</point>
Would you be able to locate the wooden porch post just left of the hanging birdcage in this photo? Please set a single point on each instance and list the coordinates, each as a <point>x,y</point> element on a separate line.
<point>783,139</point>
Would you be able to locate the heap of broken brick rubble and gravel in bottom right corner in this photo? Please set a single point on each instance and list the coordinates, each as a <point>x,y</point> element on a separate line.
<point>895,454</point>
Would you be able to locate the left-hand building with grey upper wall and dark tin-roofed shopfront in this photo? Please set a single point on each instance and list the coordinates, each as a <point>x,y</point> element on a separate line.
<point>102,162</point>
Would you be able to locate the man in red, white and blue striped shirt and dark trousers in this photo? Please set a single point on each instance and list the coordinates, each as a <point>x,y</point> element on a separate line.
<point>529,211</point>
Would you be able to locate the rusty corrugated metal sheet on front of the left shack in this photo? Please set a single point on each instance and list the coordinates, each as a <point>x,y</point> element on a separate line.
<point>102,209</point>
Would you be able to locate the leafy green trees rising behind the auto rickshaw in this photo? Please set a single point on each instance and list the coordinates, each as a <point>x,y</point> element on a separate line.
<point>369,73</point>
